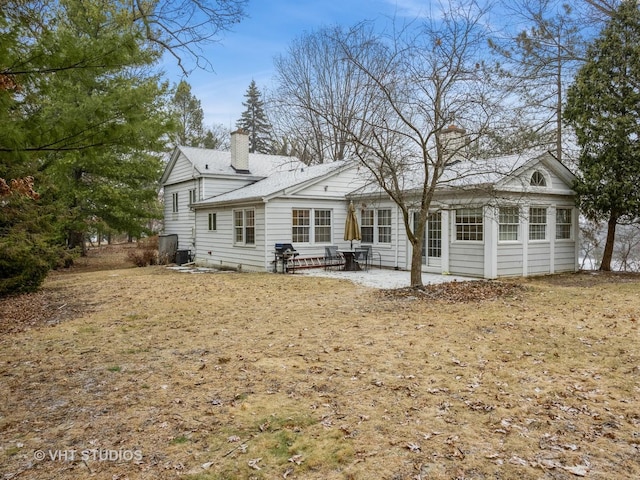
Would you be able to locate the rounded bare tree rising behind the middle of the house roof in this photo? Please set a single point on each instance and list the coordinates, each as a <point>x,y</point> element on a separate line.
<point>314,75</point>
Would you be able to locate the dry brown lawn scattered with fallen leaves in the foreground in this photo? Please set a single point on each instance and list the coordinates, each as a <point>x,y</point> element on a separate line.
<point>228,375</point>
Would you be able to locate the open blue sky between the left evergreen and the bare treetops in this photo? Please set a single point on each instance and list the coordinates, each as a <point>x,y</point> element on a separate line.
<point>247,52</point>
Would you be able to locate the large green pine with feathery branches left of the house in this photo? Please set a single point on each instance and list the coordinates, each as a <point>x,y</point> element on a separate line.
<point>84,115</point>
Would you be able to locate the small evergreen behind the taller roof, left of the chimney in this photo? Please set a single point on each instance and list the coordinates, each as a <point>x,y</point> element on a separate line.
<point>189,116</point>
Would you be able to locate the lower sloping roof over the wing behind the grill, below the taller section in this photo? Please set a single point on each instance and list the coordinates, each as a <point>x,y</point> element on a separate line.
<point>279,183</point>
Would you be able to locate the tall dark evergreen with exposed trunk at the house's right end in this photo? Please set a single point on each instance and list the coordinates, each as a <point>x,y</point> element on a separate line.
<point>603,106</point>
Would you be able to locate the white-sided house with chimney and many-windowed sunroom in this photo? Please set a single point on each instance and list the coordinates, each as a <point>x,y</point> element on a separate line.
<point>507,216</point>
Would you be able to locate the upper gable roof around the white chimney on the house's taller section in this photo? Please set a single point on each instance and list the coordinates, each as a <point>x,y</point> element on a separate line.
<point>218,162</point>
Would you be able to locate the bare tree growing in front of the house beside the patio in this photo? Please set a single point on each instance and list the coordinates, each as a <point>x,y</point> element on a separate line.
<point>413,83</point>
